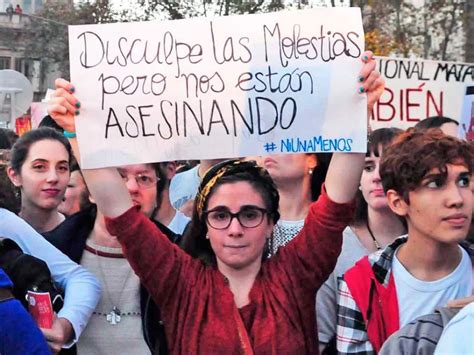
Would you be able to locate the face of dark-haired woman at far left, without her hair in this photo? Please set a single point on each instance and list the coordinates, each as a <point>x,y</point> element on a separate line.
<point>44,175</point>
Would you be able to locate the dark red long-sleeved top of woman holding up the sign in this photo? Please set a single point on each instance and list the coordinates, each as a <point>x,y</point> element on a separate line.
<point>198,306</point>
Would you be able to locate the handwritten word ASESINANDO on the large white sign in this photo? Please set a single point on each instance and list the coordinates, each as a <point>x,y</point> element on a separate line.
<point>166,119</point>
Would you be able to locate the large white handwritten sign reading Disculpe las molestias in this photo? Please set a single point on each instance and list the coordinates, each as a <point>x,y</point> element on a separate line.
<point>219,88</point>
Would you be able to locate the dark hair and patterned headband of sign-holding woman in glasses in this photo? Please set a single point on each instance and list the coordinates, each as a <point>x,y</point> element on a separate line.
<point>194,240</point>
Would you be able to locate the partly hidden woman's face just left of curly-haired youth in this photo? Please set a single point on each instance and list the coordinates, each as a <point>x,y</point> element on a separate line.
<point>371,184</point>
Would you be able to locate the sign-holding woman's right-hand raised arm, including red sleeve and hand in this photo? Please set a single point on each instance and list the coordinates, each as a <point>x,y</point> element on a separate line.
<point>314,252</point>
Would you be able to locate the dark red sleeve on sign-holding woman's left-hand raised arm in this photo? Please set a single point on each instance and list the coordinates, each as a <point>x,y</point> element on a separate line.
<point>162,267</point>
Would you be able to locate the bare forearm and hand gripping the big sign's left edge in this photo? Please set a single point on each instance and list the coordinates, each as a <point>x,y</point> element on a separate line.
<point>106,185</point>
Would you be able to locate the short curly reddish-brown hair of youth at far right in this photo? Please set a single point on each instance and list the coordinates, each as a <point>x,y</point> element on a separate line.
<point>414,153</point>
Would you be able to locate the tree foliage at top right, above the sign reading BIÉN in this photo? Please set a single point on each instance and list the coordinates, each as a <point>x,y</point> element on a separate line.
<point>432,30</point>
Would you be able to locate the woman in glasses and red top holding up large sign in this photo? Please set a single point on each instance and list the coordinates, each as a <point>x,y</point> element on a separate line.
<point>230,300</point>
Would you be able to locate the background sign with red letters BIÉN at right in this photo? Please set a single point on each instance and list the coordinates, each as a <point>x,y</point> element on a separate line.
<point>417,89</point>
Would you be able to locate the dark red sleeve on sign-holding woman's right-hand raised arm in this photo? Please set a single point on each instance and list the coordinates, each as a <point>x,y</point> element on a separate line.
<point>311,256</point>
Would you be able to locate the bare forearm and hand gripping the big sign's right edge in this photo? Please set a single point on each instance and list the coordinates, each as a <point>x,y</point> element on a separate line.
<point>345,169</point>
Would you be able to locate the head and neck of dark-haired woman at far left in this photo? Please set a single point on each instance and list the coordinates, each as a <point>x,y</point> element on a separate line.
<point>39,167</point>
